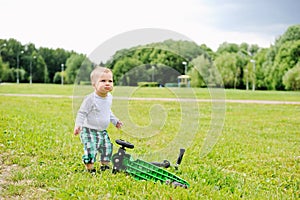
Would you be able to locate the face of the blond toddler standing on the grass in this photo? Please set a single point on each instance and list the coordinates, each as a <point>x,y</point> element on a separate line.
<point>104,84</point>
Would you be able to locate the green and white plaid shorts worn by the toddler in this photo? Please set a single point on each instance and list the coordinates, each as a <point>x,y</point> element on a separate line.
<point>95,141</point>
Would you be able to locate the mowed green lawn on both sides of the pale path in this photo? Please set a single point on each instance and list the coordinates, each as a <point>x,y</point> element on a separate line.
<point>255,156</point>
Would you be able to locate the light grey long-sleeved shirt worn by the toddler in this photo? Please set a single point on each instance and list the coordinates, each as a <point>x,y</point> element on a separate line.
<point>95,112</point>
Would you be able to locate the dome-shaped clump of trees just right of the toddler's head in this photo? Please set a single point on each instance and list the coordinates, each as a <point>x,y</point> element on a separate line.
<point>127,64</point>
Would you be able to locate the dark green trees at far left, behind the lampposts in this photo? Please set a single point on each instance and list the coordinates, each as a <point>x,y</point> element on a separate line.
<point>45,62</point>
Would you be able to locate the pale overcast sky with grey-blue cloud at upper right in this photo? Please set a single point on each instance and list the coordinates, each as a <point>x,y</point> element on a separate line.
<point>84,25</point>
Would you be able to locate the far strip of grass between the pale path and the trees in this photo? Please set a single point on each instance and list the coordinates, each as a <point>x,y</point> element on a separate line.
<point>199,93</point>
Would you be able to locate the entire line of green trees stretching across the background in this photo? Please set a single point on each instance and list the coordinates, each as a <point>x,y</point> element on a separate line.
<point>241,66</point>
